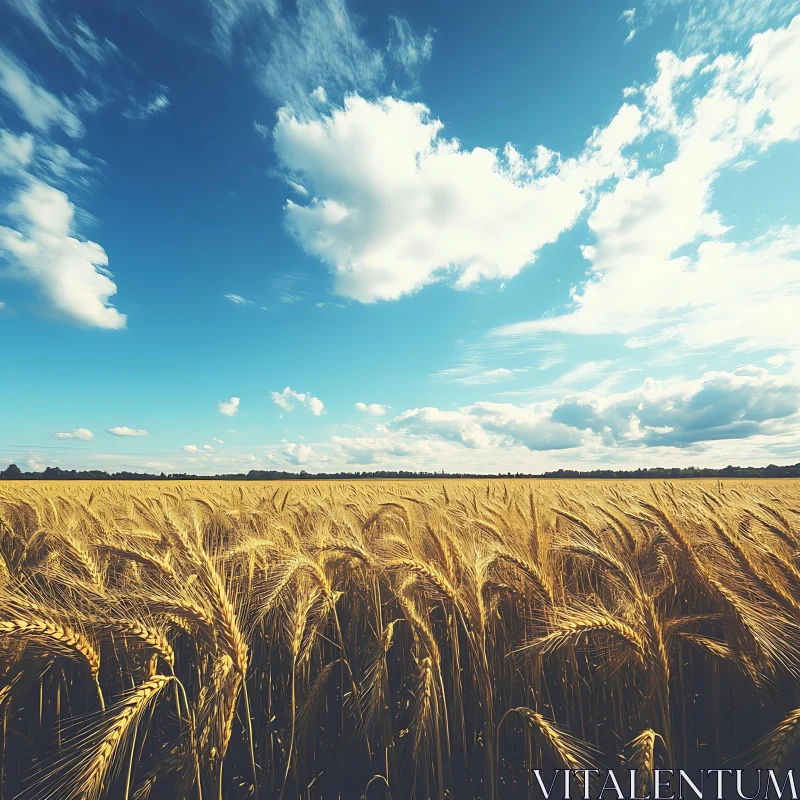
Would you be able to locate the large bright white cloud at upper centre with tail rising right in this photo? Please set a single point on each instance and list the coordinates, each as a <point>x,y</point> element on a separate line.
<point>395,206</point>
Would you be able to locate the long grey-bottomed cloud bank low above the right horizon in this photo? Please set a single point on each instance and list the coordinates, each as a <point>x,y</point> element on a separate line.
<point>747,402</point>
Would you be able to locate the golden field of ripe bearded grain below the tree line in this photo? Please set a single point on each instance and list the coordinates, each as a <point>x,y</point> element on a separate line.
<point>390,640</point>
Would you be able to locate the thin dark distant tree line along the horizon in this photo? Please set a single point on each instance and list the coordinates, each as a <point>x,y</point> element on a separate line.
<point>13,472</point>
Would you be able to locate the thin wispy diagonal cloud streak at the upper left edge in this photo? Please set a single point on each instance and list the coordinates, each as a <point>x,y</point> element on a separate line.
<point>42,109</point>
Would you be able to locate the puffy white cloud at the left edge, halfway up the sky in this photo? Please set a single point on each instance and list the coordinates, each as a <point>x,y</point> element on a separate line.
<point>71,274</point>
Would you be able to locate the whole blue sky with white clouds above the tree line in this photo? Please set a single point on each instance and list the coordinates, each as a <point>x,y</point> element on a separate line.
<point>243,234</point>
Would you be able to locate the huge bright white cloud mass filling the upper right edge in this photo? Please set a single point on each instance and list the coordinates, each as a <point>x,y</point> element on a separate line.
<point>727,291</point>
